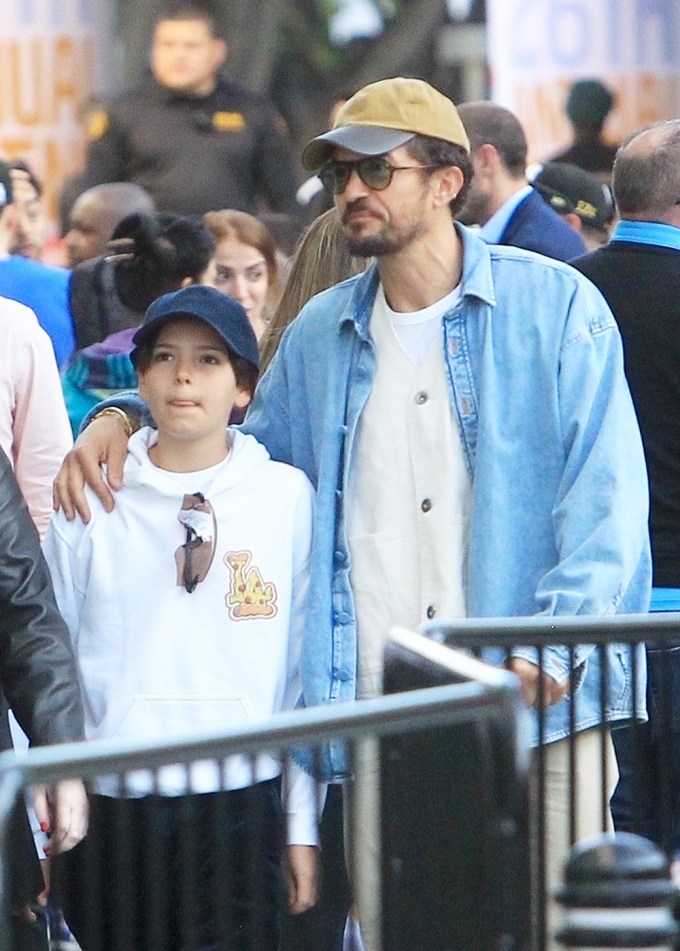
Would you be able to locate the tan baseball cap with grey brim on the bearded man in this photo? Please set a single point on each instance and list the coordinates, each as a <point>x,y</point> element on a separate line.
<point>385,115</point>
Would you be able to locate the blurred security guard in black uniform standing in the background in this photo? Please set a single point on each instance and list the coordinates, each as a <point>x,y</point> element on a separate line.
<point>194,140</point>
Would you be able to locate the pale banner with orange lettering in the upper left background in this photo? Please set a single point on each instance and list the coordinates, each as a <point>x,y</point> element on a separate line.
<point>54,55</point>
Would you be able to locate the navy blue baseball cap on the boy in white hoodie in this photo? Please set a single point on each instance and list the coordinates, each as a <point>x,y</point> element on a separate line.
<point>224,314</point>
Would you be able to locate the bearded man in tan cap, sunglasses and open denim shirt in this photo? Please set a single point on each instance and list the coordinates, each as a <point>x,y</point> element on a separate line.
<point>462,410</point>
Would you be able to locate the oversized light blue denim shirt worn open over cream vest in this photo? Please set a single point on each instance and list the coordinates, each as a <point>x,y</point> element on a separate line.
<point>559,513</point>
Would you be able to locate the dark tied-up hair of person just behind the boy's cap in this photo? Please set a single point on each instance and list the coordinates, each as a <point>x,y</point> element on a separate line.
<point>156,254</point>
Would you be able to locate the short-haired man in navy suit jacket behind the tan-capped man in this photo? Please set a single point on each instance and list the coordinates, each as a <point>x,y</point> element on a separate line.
<point>501,200</point>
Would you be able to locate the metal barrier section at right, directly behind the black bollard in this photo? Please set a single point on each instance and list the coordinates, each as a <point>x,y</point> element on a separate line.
<point>650,752</point>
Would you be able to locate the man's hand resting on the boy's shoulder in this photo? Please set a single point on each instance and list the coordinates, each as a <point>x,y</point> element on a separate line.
<point>104,441</point>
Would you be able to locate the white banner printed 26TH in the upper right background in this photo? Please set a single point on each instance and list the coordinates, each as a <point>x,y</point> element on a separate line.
<point>537,48</point>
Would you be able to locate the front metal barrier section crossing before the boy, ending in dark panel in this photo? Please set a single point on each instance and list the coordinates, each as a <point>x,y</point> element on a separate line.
<point>422,734</point>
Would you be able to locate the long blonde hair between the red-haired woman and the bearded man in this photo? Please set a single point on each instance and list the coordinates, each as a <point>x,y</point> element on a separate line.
<point>321,260</point>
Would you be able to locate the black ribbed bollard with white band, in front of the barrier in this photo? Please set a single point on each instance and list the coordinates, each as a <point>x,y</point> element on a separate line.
<point>618,894</point>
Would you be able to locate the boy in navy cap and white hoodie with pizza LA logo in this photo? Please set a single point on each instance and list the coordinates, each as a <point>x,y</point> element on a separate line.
<point>210,543</point>
